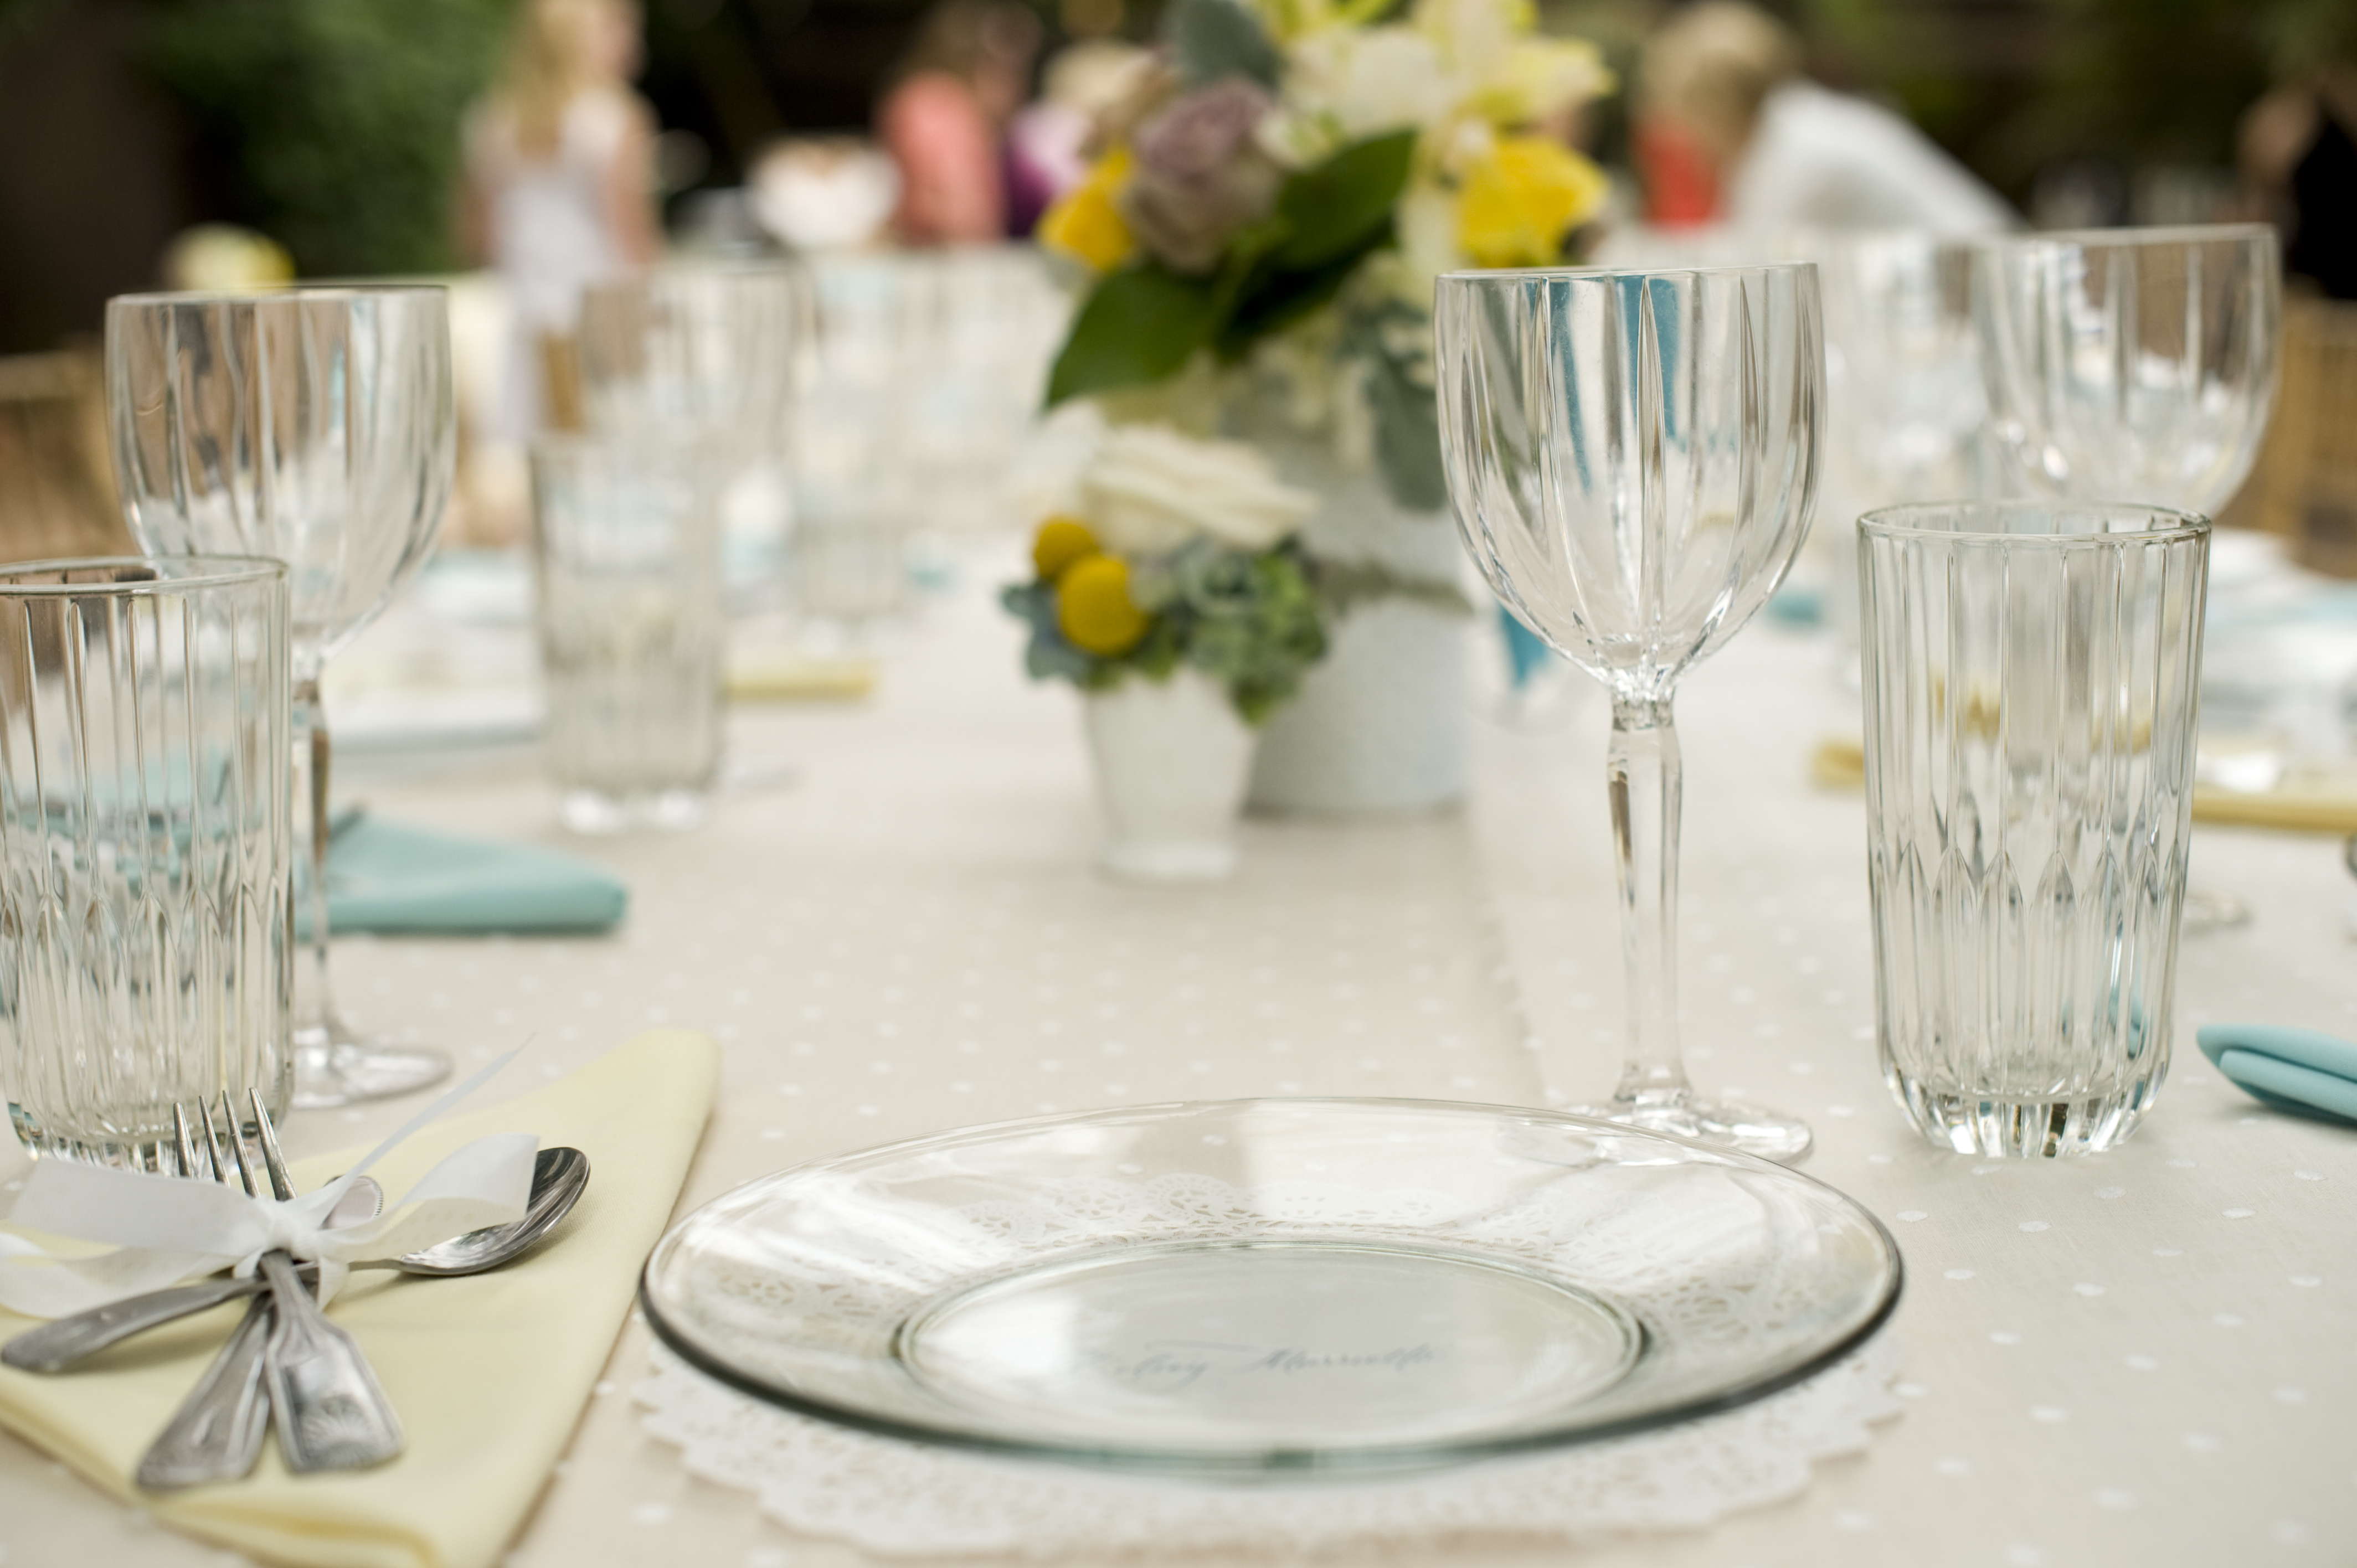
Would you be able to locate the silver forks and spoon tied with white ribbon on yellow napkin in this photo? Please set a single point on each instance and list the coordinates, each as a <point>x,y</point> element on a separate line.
<point>286,1364</point>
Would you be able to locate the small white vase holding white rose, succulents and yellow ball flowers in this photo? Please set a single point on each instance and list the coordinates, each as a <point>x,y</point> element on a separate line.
<point>1173,760</point>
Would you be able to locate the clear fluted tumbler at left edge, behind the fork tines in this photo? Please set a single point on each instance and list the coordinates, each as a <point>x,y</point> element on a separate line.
<point>145,848</point>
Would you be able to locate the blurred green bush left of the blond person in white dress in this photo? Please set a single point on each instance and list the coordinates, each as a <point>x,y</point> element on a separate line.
<point>338,121</point>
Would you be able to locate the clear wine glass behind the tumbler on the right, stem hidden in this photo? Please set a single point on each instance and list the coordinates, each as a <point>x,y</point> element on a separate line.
<point>2134,367</point>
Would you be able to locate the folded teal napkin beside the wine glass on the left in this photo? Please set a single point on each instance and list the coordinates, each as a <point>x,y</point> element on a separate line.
<point>392,878</point>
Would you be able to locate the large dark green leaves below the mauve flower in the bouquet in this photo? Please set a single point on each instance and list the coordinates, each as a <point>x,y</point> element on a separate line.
<point>1144,322</point>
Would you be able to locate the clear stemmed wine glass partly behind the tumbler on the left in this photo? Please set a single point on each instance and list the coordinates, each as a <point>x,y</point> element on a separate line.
<point>312,426</point>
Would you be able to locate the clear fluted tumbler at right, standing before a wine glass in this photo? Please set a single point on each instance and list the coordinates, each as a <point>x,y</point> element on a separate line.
<point>2031,687</point>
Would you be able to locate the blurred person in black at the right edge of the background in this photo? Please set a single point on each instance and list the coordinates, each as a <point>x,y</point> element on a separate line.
<point>2299,152</point>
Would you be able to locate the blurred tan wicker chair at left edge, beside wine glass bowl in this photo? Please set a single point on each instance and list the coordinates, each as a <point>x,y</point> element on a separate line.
<point>58,487</point>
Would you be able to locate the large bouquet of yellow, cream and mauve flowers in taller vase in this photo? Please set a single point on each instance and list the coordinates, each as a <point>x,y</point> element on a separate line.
<point>1290,185</point>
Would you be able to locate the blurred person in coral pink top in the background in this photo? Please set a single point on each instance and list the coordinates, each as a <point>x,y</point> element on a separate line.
<point>944,114</point>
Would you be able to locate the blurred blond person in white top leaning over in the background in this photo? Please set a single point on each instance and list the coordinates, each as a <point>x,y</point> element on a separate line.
<point>1729,129</point>
